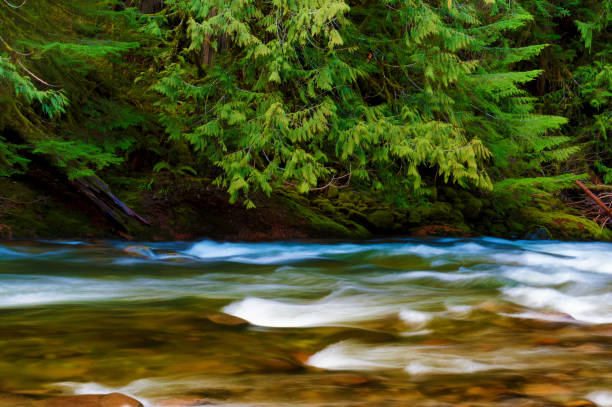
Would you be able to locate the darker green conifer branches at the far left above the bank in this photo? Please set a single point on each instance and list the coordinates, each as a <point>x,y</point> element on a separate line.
<point>48,59</point>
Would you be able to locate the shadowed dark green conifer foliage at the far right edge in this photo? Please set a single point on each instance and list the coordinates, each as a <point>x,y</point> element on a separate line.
<point>576,79</point>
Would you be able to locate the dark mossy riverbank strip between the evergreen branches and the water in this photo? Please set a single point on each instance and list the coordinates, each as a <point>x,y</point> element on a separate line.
<point>191,208</point>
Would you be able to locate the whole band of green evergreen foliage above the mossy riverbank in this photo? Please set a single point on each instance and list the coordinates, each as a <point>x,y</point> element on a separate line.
<point>397,97</point>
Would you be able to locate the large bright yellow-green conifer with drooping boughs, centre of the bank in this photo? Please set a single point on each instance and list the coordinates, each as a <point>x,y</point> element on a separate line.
<point>318,93</point>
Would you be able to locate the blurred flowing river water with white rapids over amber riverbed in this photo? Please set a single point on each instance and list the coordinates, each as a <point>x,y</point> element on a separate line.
<point>479,322</point>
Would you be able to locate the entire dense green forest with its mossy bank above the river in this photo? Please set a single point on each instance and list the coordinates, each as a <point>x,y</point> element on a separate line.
<point>247,119</point>
